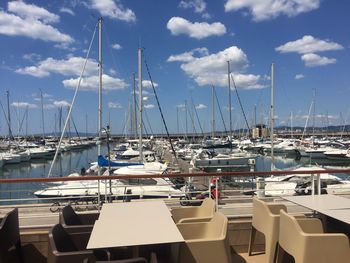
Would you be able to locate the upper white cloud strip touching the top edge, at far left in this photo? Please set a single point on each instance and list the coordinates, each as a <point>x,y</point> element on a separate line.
<point>32,12</point>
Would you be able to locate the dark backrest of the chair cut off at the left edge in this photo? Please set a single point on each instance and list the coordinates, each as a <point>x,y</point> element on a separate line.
<point>9,230</point>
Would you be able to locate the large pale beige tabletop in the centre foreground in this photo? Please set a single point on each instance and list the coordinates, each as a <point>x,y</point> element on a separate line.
<point>133,224</point>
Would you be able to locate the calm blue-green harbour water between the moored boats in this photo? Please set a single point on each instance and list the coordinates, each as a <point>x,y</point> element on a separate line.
<point>73,161</point>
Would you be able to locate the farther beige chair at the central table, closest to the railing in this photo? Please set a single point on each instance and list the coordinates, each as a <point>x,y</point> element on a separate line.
<point>202,213</point>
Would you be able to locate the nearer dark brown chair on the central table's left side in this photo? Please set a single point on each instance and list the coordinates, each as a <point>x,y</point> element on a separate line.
<point>64,247</point>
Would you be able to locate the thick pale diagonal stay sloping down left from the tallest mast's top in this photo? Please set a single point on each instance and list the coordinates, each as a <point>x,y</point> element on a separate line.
<point>73,100</point>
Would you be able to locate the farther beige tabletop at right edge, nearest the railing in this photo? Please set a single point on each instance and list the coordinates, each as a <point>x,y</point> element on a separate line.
<point>320,202</point>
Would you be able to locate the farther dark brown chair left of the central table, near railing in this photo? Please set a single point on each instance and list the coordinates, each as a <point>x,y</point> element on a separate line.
<point>70,219</point>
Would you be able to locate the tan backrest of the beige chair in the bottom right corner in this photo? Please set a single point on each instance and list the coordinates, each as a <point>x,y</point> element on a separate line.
<point>290,234</point>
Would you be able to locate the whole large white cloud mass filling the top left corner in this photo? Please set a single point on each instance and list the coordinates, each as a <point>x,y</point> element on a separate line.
<point>31,21</point>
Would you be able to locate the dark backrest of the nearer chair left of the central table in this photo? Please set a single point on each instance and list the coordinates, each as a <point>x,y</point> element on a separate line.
<point>60,240</point>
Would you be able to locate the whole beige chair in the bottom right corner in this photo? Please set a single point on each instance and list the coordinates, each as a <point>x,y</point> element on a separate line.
<point>306,242</point>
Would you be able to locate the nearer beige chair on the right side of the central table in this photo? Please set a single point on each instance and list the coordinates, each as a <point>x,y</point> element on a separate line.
<point>205,241</point>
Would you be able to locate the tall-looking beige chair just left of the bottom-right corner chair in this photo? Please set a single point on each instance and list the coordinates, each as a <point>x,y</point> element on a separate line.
<point>266,221</point>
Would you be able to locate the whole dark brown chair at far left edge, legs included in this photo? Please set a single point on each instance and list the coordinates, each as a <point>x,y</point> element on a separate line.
<point>9,235</point>
